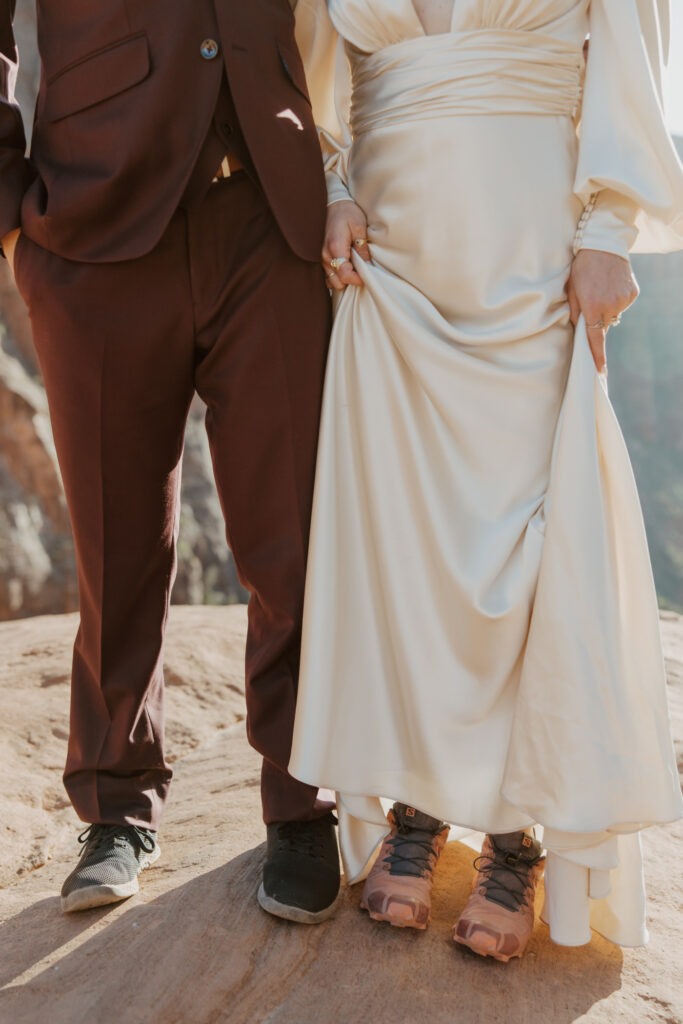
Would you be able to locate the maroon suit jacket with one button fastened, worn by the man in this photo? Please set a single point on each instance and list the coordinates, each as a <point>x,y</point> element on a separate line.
<point>125,103</point>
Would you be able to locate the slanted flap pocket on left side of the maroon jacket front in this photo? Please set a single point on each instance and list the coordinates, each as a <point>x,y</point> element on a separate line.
<point>97,77</point>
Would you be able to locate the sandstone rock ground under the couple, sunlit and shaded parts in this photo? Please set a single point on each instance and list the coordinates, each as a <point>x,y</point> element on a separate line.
<point>195,949</point>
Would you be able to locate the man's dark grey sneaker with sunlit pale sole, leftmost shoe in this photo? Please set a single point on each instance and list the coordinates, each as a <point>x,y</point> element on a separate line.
<point>111,861</point>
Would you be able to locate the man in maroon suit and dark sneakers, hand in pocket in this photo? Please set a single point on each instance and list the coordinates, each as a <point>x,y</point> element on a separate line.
<point>166,235</point>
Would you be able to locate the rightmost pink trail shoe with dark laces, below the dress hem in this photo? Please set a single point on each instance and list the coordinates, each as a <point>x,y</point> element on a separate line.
<point>498,920</point>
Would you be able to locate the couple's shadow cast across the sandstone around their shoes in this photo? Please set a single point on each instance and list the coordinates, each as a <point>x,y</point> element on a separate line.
<point>205,953</point>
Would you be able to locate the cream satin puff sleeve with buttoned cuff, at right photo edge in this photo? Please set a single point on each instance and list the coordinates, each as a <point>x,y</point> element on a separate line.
<point>629,176</point>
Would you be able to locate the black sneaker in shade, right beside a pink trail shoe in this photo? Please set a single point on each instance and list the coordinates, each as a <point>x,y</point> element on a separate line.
<point>302,874</point>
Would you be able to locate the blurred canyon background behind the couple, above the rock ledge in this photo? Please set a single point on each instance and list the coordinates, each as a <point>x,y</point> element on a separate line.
<point>37,571</point>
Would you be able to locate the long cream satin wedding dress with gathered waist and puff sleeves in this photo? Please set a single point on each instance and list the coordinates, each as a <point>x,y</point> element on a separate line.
<point>482,638</point>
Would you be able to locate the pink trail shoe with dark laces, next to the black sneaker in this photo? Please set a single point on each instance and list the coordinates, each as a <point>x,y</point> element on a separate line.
<point>399,887</point>
